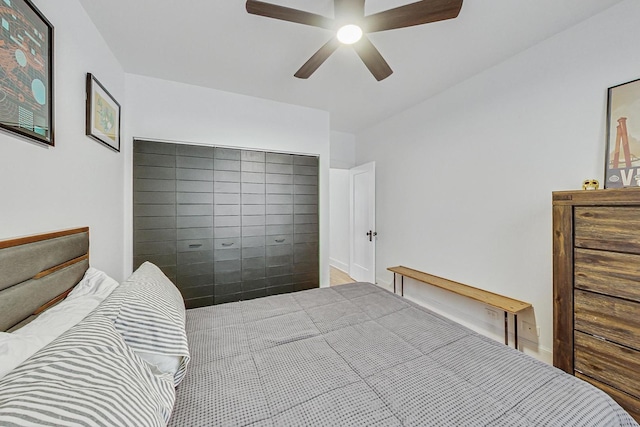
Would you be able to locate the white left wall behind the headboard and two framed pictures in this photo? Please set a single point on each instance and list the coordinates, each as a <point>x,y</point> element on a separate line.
<point>79,182</point>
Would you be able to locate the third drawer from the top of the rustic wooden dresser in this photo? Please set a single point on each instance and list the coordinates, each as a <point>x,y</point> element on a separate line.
<point>612,318</point>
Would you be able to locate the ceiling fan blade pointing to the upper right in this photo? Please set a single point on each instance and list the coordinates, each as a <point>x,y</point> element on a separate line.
<point>421,12</point>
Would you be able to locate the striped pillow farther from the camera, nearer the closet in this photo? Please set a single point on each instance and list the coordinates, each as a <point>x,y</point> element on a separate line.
<point>151,319</point>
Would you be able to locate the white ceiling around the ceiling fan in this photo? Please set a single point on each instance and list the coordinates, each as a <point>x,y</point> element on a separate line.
<point>217,44</point>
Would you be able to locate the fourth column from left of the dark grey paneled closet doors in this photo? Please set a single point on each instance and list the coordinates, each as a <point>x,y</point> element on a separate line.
<point>253,224</point>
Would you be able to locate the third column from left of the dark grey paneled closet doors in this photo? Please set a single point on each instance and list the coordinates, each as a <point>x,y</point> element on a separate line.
<point>227,226</point>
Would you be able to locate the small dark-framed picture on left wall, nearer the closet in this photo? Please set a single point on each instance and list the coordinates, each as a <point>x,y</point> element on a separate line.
<point>103,114</point>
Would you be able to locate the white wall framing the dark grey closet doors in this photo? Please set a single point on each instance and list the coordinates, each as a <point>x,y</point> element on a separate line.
<point>164,110</point>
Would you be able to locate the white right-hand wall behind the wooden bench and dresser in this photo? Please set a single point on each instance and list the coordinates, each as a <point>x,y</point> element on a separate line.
<point>465,179</point>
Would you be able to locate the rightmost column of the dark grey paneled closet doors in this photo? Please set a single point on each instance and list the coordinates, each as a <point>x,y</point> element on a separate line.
<point>305,229</point>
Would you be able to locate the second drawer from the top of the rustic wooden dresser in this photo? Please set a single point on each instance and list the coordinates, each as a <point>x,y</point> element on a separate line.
<point>608,273</point>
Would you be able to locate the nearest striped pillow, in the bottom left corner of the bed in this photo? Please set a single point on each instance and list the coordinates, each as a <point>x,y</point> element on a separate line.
<point>87,376</point>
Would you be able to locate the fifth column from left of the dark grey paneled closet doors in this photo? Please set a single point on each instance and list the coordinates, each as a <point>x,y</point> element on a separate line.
<point>279,223</point>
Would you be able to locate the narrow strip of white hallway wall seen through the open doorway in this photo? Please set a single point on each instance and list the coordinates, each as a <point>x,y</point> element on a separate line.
<point>339,219</point>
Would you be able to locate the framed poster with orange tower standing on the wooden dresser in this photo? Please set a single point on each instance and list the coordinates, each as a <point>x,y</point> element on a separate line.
<point>622,167</point>
